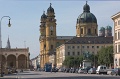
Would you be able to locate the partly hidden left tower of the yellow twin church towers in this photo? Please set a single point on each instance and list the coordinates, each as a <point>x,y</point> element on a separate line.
<point>42,39</point>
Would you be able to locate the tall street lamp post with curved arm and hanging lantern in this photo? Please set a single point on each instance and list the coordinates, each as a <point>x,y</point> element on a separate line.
<point>1,41</point>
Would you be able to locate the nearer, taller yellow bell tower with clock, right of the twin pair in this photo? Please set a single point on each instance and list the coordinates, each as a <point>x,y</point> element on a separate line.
<point>50,34</point>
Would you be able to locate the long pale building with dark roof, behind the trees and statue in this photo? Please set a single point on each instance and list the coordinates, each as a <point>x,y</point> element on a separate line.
<point>80,45</point>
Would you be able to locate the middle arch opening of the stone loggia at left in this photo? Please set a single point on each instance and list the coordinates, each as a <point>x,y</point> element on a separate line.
<point>11,61</point>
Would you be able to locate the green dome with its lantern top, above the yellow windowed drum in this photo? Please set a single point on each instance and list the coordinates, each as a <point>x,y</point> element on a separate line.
<point>86,16</point>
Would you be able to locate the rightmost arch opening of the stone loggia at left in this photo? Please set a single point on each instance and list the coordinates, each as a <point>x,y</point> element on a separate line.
<point>22,61</point>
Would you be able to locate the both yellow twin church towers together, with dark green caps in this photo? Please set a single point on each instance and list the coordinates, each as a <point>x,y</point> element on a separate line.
<point>48,36</point>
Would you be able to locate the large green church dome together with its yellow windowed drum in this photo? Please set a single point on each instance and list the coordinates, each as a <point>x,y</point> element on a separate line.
<point>86,23</point>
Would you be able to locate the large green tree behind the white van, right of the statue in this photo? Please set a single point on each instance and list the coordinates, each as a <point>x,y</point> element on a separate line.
<point>105,55</point>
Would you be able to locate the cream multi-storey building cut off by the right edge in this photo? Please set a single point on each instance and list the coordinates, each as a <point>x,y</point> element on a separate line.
<point>116,19</point>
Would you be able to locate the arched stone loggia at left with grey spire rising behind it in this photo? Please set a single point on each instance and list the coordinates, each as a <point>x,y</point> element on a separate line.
<point>17,58</point>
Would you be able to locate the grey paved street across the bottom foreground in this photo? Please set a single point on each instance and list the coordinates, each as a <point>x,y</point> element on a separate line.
<point>57,75</point>
